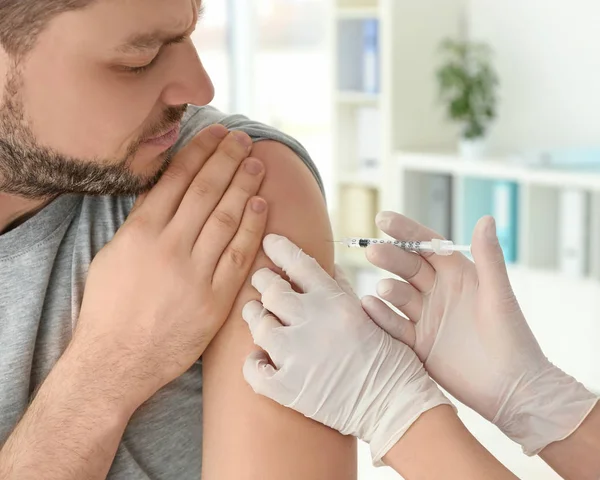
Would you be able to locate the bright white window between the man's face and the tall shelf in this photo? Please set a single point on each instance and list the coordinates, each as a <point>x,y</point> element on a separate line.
<point>268,59</point>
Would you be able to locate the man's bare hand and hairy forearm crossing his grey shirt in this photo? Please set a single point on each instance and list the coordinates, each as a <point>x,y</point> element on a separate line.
<point>155,297</point>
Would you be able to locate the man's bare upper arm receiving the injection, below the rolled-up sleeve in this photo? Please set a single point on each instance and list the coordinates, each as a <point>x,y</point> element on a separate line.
<point>247,436</point>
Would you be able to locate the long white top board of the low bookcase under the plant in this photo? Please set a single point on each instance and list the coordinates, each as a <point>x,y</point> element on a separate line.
<point>506,168</point>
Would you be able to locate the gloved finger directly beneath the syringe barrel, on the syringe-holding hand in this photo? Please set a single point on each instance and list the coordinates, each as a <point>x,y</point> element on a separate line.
<point>407,265</point>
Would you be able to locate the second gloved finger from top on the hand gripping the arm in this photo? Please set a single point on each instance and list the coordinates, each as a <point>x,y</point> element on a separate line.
<point>278,296</point>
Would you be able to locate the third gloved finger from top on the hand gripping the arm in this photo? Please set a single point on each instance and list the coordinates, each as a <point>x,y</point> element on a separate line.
<point>264,328</point>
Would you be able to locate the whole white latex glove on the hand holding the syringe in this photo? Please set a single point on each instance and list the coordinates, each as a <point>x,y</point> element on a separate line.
<point>466,325</point>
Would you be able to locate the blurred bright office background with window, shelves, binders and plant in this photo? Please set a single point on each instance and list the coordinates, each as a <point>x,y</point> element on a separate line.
<point>444,110</point>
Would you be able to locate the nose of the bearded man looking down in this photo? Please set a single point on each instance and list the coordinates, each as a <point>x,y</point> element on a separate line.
<point>190,83</point>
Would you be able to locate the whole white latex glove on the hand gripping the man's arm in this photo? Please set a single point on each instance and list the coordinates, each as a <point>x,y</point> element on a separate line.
<point>330,361</point>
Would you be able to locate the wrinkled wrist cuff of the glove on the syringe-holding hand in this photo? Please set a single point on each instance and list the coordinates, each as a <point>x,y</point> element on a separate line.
<point>547,409</point>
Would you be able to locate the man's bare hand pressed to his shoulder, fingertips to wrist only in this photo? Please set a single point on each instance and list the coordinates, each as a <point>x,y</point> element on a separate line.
<point>157,294</point>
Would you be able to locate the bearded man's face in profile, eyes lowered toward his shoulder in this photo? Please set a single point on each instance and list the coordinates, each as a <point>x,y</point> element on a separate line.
<point>76,115</point>
